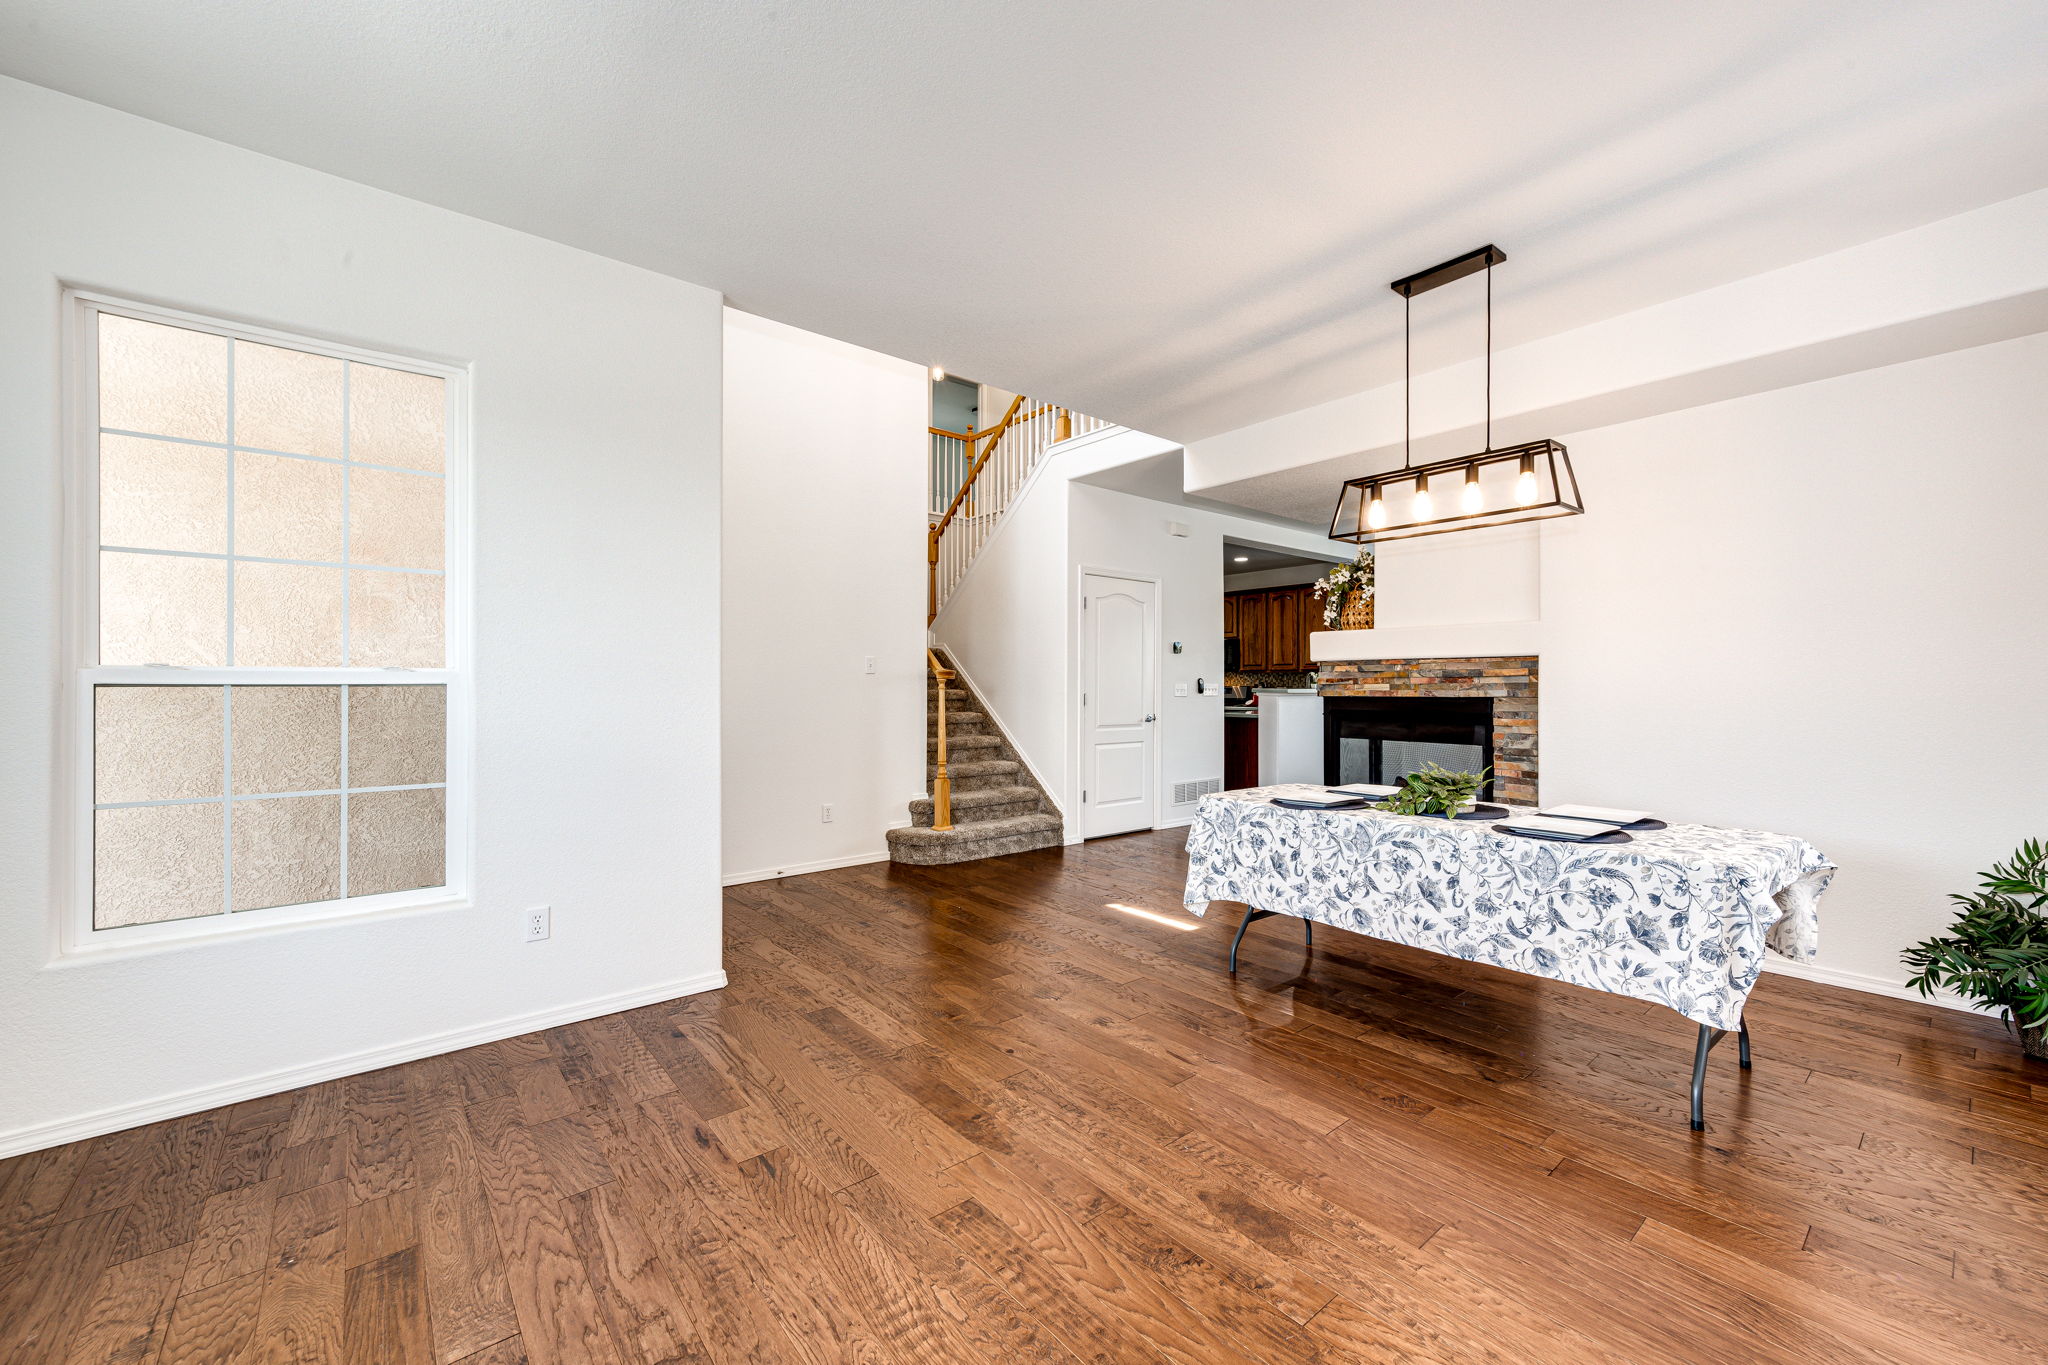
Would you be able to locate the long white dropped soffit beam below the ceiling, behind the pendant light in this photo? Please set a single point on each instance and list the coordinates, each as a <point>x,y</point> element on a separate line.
<point>1965,281</point>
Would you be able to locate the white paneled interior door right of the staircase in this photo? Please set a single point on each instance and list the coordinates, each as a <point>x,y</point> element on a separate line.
<point>1119,725</point>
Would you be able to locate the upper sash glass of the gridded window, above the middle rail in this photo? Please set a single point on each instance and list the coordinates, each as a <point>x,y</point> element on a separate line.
<point>314,488</point>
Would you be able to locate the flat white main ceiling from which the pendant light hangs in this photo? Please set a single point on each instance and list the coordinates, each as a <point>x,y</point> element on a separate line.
<point>1175,216</point>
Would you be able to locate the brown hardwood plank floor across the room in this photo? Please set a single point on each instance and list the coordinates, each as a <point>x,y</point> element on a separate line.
<point>984,1114</point>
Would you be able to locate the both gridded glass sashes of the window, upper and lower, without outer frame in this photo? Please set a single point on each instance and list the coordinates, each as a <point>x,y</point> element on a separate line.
<point>271,549</point>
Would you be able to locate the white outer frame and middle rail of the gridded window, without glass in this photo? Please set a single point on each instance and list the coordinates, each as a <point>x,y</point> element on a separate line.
<point>77,938</point>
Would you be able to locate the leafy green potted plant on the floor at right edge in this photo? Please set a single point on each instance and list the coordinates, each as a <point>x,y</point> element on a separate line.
<point>1998,949</point>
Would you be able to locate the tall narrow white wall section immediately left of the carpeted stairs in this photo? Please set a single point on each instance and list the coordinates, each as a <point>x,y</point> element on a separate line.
<point>824,568</point>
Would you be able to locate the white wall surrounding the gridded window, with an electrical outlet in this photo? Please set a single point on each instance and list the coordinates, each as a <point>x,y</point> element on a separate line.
<point>597,502</point>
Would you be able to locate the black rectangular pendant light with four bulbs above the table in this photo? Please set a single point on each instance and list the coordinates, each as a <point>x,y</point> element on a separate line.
<point>1492,488</point>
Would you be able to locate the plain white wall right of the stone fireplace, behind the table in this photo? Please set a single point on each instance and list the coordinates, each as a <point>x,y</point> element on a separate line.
<point>1820,611</point>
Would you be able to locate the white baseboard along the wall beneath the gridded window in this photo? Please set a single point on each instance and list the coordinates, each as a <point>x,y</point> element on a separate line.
<point>118,1118</point>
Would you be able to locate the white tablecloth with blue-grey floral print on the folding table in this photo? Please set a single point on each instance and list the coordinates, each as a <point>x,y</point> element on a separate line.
<point>1680,916</point>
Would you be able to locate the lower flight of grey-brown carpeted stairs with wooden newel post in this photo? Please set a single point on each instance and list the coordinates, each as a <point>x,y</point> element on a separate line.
<point>998,807</point>
